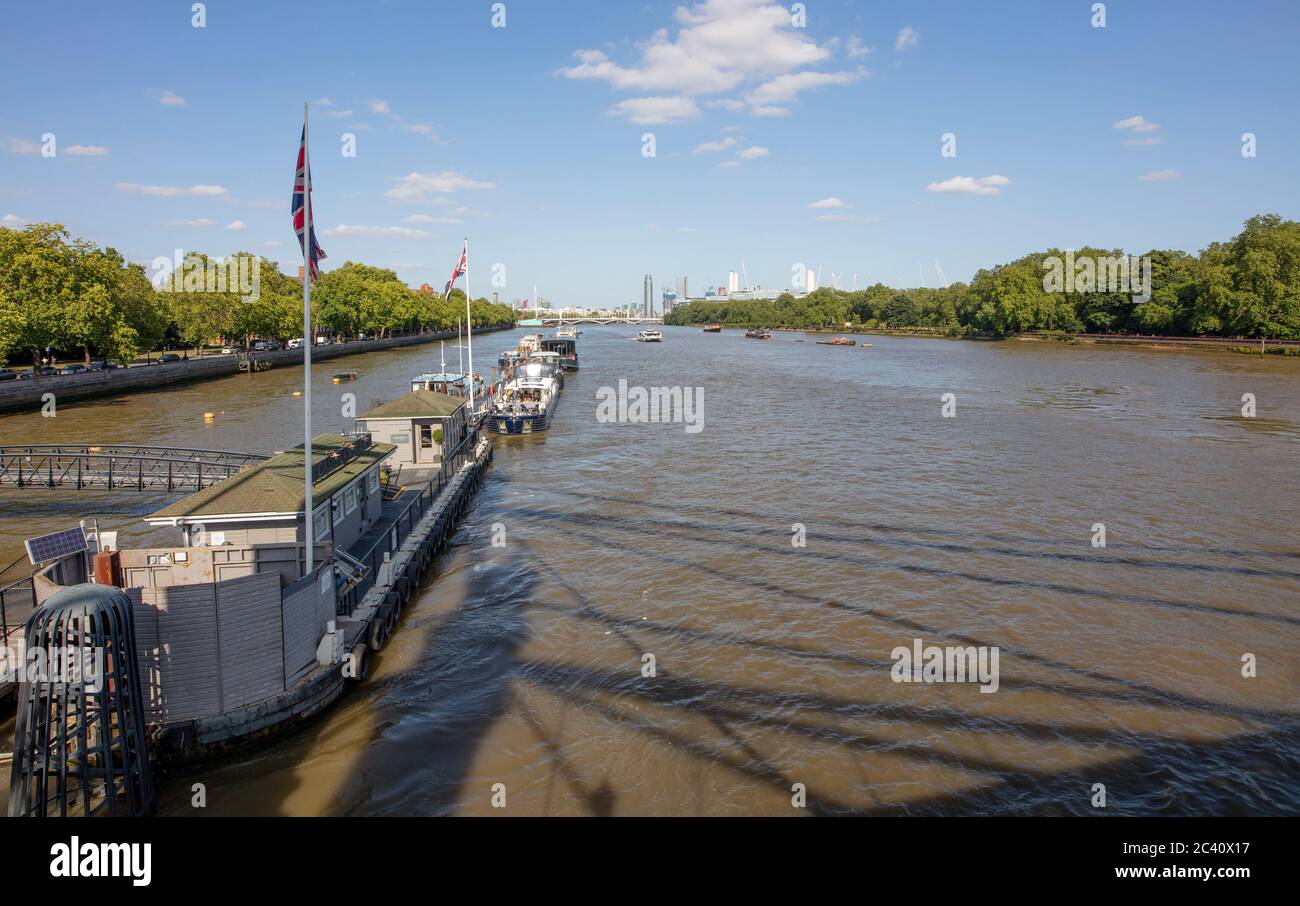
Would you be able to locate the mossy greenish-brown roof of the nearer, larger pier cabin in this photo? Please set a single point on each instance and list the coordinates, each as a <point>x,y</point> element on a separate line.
<point>276,485</point>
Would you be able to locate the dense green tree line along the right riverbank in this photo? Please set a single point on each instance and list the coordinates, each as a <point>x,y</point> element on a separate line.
<point>1249,287</point>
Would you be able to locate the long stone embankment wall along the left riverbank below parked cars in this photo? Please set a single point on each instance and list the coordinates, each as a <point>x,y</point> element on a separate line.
<point>67,388</point>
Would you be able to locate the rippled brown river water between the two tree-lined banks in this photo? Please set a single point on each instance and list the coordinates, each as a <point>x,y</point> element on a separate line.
<point>523,665</point>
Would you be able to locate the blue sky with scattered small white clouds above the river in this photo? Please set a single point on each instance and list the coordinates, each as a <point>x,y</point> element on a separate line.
<point>527,136</point>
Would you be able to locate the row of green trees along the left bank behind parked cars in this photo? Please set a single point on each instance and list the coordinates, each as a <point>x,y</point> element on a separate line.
<point>68,296</point>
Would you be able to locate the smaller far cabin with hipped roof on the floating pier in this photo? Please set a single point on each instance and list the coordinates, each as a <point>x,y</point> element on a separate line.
<point>422,427</point>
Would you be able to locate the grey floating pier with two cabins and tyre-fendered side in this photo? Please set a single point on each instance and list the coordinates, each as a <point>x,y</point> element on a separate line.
<point>236,635</point>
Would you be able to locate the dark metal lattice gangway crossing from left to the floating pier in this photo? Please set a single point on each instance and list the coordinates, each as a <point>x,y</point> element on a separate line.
<point>107,467</point>
